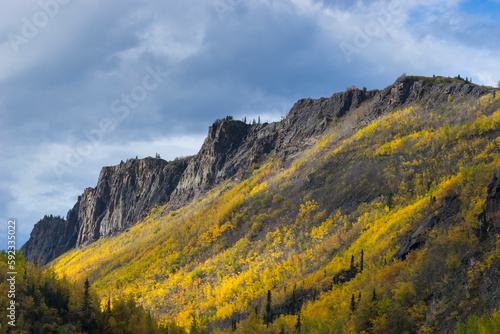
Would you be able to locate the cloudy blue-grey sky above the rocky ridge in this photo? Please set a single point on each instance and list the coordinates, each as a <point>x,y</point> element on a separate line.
<point>86,84</point>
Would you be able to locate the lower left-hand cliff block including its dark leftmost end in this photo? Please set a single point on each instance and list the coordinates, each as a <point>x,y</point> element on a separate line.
<point>123,195</point>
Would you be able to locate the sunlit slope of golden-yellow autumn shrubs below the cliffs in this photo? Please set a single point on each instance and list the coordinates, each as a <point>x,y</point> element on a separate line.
<point>293,230</point>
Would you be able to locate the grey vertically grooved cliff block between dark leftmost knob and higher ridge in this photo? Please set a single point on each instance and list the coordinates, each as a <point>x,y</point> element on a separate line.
<point>123,194</point>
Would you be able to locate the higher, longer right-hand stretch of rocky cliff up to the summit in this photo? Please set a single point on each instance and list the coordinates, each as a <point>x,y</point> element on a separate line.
<point>231,147</point>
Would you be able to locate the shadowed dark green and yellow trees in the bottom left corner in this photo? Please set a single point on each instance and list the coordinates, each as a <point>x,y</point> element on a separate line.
<point>46,304</point>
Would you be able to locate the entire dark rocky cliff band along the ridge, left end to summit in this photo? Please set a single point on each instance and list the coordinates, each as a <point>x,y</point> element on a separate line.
<point>126,192</point>
